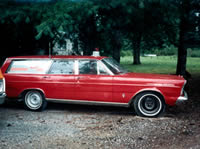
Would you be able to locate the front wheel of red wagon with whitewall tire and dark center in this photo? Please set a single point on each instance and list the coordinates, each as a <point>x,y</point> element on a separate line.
<point>148,105</point>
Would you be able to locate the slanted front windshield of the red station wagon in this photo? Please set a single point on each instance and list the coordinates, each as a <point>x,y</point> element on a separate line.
<point>113,66</point>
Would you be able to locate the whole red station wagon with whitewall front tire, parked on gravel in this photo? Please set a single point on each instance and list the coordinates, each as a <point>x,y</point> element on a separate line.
<point>89,80</point>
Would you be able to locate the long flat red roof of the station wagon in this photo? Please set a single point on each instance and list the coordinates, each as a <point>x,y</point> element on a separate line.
<point>58,57</point>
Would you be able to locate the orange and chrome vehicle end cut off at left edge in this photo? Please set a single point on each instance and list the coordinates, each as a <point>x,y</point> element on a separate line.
<point>2,88</point>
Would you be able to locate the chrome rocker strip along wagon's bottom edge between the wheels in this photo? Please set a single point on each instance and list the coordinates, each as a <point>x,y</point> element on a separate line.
<point>88,102</point>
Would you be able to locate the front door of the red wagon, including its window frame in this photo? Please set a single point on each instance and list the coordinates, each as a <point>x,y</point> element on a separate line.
<point>93,83</point>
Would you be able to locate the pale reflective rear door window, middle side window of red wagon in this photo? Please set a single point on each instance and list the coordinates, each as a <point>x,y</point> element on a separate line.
<point>62,67</point>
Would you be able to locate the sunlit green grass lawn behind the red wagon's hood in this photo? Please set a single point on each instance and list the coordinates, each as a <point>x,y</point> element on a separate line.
<point>160,65</point>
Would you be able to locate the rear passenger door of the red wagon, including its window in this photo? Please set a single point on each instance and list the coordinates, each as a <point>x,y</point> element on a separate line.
<point>60,80</point>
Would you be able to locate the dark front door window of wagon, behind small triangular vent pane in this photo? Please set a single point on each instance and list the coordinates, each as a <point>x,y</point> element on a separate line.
<point>87,67</point>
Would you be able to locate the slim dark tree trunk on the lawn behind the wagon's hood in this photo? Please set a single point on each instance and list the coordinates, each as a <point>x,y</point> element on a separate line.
<point>136,50</point>
